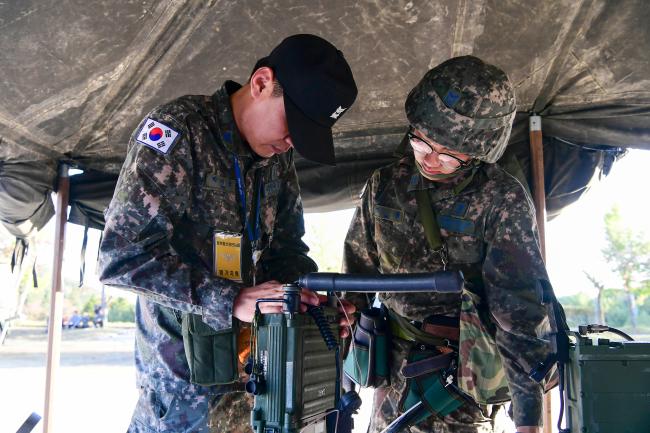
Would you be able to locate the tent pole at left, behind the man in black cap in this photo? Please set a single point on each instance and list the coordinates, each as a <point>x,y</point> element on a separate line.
<point>56,302</point>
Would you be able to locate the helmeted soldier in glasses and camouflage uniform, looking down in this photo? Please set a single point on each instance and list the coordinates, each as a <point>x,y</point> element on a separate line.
<point>460,116</point>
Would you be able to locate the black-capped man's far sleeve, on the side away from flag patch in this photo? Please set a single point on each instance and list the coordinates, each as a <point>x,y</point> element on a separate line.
<point>287,258</point>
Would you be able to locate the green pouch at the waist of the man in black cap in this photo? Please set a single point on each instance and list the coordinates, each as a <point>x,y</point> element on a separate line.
<point>211,355</point>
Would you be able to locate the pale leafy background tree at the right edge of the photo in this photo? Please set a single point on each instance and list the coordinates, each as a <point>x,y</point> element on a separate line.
<point>629,253</point>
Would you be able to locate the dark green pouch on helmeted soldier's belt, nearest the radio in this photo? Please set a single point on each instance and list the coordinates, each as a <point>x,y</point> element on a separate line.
<point>367,361</point>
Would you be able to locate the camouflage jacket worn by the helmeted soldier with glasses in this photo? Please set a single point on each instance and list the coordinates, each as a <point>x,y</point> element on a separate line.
<point>490,232</point>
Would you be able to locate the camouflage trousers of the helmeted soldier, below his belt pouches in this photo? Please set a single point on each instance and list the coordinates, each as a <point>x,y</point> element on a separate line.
<point>467,419</point>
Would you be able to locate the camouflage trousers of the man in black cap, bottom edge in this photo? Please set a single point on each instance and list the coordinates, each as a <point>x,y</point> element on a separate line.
<point>162,412</point>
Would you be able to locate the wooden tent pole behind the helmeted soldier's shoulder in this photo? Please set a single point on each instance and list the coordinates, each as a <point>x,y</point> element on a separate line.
<point>539,197</point>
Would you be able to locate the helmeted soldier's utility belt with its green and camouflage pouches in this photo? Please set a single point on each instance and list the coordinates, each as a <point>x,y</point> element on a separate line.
<point>451,361</point>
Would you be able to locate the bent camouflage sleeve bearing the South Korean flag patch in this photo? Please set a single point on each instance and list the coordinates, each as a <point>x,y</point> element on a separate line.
<point>137,252</point>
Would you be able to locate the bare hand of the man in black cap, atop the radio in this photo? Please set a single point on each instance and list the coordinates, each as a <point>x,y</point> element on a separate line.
<point>244,305</point>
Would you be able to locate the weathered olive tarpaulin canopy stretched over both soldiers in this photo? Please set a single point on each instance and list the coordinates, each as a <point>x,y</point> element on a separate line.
<point>78,76</point>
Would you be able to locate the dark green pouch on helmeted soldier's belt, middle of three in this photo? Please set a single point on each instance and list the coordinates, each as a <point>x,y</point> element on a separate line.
<point>429,375</point>
